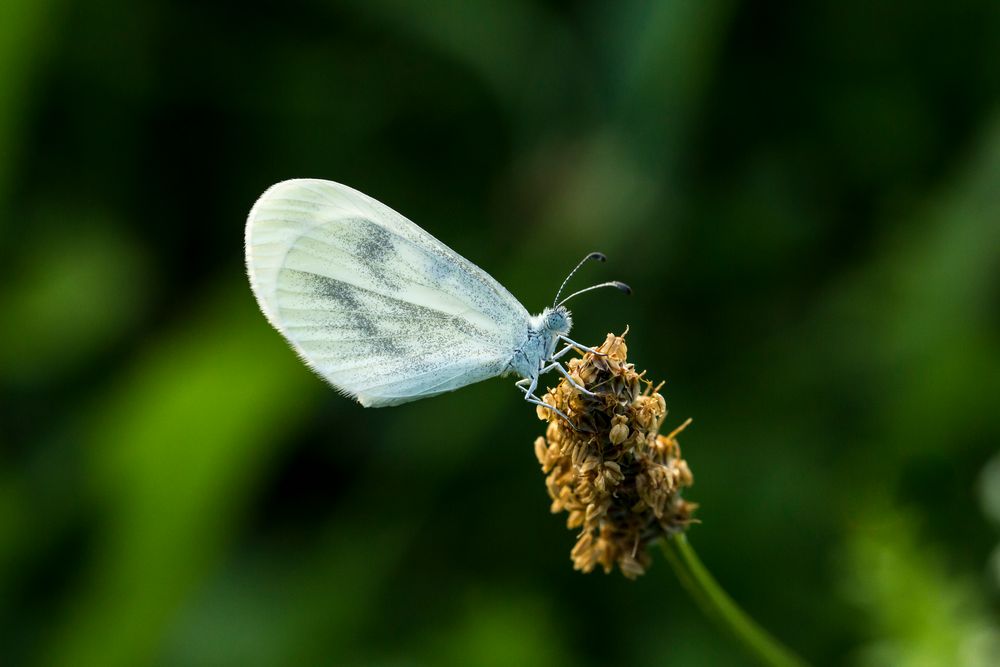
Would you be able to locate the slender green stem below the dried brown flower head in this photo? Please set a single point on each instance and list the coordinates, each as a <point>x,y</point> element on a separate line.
<point>718,606</point>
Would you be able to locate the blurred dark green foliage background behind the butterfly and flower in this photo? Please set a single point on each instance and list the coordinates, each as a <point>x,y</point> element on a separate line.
<point>805,199</point>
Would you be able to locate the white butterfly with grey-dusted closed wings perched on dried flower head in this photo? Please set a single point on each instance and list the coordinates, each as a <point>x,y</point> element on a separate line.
<point>381,309</point>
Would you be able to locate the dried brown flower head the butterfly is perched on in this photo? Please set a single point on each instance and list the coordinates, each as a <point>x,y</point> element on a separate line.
<point>616,477</point>
